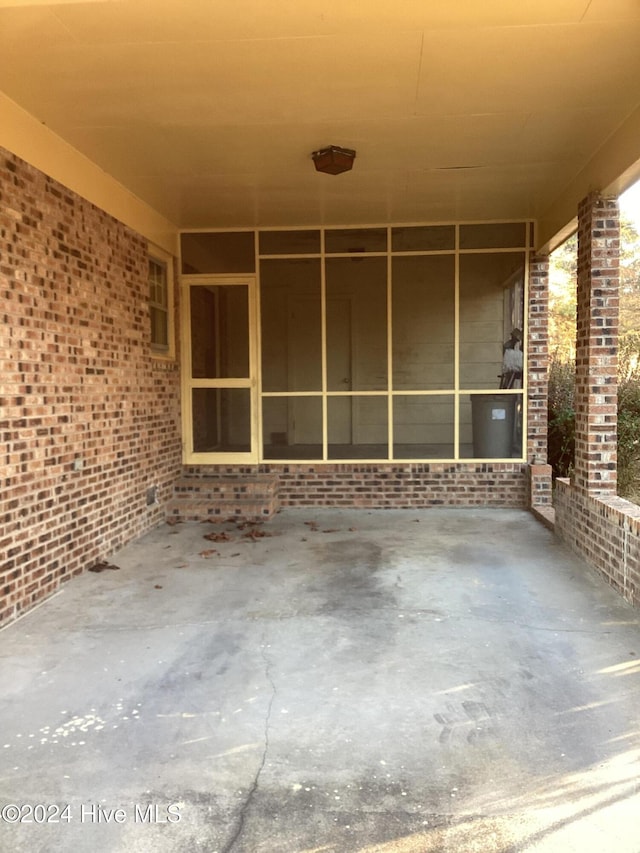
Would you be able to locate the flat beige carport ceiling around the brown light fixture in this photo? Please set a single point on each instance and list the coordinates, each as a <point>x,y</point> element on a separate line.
<point>209,109</point>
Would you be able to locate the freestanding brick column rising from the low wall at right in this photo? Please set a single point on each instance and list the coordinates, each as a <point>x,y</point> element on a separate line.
<point>596,401</point>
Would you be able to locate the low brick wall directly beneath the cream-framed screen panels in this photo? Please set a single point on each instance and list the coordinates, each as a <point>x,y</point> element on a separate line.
<point>390,485</point>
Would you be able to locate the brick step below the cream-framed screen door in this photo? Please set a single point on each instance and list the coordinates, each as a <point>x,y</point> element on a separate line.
<point>246,497</point>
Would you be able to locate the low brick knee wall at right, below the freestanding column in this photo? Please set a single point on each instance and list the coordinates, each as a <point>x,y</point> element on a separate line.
<point>603,530</point>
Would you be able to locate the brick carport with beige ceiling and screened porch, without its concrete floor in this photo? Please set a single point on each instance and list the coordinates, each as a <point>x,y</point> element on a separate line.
<point>191,312</point>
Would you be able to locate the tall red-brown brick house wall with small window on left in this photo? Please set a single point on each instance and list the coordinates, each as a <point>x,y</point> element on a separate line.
<point>89,421</point>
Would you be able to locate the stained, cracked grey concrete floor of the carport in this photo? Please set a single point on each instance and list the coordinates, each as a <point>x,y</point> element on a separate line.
<point>439,680</point>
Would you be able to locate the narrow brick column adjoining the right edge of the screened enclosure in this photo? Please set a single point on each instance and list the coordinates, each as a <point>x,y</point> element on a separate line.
<point>538,381</point>
